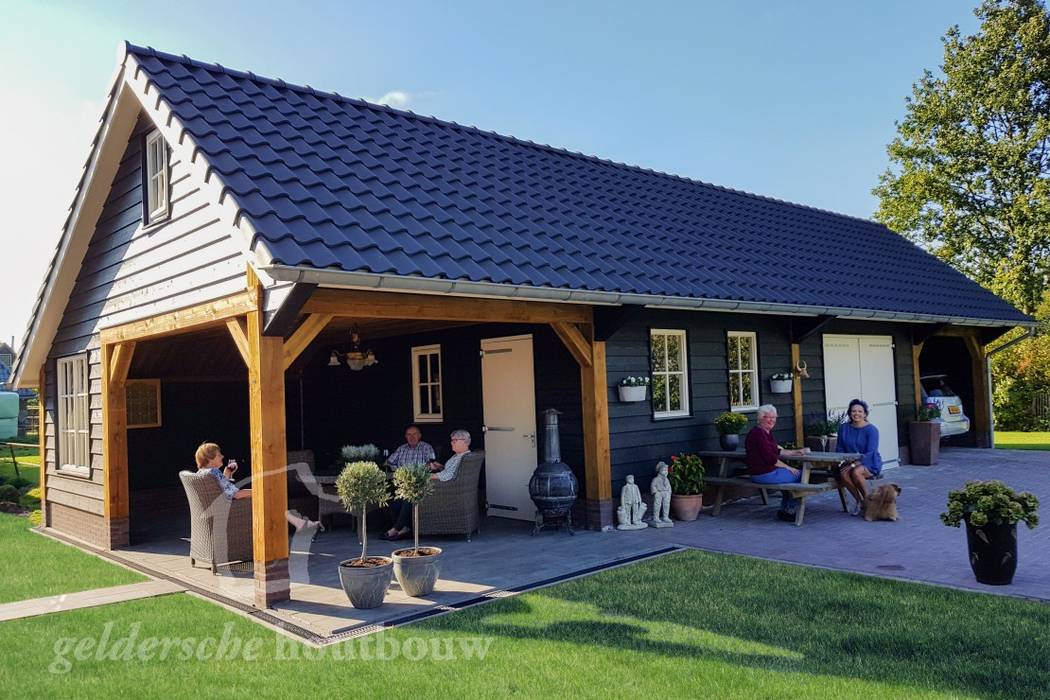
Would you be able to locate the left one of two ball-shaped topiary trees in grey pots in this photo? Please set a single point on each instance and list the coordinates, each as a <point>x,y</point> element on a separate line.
<point>366,579</point>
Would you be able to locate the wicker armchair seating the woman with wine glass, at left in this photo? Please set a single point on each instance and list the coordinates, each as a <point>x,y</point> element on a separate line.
<point>221,531</point>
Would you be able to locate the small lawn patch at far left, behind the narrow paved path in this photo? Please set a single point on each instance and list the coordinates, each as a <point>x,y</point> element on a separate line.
<point>35,566</point>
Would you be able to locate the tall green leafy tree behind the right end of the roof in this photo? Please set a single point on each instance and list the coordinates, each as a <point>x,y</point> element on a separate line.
<point>969,167</point>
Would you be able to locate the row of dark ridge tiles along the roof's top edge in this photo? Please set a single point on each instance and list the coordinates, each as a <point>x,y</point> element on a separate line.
<point>150,51</point>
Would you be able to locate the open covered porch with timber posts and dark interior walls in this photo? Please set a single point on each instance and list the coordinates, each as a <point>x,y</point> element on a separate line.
<point>289,400</point>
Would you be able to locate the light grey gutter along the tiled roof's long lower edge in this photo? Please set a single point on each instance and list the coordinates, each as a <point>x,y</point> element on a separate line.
<point>363,281</point>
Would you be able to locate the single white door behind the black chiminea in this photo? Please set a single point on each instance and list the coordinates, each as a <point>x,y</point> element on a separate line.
<point>509,396</point>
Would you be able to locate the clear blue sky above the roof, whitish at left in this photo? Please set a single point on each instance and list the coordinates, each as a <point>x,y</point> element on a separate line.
<point>792,100</point>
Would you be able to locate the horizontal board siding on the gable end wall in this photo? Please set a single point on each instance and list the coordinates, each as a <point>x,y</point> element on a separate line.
<point>131,272</point>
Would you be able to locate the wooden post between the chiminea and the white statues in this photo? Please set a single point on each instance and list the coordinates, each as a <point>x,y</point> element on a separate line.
<point>598,465</point>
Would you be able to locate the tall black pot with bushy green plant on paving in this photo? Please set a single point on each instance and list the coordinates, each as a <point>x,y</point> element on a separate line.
<point>992,512</point>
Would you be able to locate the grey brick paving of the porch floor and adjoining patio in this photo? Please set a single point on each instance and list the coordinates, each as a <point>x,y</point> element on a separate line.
<point>506,558</point>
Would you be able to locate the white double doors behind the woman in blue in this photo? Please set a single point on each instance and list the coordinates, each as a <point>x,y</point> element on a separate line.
<point>863,368</point>
